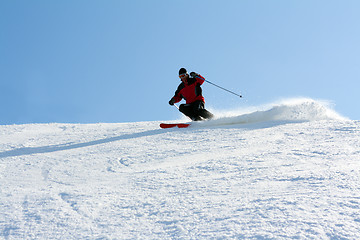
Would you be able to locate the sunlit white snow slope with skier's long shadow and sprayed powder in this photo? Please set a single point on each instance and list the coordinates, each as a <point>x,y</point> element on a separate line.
<point>287,172</point>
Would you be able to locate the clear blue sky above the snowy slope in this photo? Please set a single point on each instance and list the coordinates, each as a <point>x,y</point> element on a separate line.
<point>85,61</point>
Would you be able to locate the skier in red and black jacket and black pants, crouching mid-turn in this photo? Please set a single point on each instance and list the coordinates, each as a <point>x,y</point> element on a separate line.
<point>190,90</point>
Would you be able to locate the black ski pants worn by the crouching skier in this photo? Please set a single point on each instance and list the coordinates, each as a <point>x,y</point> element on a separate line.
<point>196,111</point>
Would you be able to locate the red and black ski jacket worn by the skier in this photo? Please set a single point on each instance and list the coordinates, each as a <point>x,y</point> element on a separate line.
<point>191,90</point>
